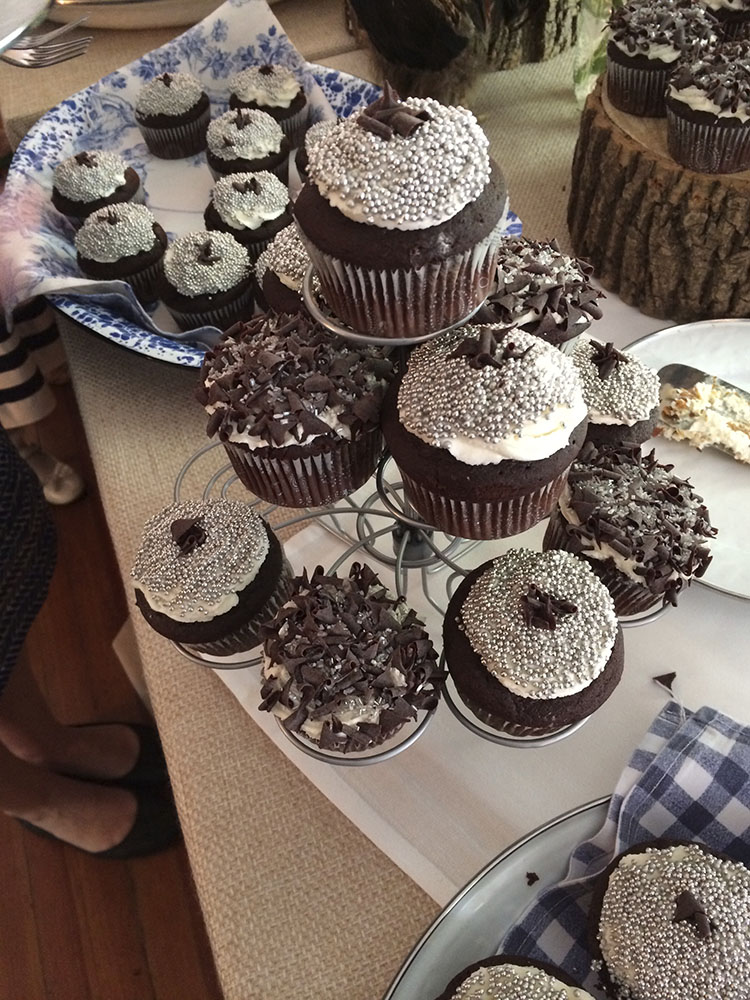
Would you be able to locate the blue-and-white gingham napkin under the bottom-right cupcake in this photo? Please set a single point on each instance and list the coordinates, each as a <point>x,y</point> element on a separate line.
<point>689,780</point>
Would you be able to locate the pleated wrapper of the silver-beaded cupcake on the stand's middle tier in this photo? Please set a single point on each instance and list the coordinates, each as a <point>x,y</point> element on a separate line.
<point>480,520</point>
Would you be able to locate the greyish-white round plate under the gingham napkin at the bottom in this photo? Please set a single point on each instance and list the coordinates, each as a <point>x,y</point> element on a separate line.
<point>475,921</point>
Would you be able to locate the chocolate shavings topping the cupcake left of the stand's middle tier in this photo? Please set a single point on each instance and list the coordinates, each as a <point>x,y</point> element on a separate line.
<point>272,376</point>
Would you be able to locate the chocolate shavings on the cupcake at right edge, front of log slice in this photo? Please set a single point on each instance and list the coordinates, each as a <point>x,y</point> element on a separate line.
<point>722,74</point>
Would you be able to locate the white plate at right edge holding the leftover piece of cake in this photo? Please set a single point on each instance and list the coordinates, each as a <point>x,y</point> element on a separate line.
<point>720,347</point>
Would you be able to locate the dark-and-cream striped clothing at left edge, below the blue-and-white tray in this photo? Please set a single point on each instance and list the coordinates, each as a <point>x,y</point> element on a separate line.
<point>27,352</point>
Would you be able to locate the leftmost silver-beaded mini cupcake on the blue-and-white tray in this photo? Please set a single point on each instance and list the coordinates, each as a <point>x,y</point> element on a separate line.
<point>93,179</point>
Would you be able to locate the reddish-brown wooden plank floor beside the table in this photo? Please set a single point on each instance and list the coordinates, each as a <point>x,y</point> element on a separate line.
<point>72,927</point>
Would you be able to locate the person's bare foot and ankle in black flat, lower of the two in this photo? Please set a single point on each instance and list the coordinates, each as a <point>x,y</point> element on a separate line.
<point>84,814</point>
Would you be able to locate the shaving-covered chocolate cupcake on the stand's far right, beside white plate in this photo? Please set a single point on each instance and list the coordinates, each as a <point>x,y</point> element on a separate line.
<point>644,531</point>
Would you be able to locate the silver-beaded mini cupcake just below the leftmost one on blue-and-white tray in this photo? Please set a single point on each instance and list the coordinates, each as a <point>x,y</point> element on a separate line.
<point>123,242</point>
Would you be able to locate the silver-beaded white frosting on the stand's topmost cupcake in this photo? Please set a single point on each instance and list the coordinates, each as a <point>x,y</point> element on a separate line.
<point>405,182</point>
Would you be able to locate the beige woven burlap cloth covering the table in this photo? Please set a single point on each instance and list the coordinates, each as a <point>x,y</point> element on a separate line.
<point>297,901</point>
